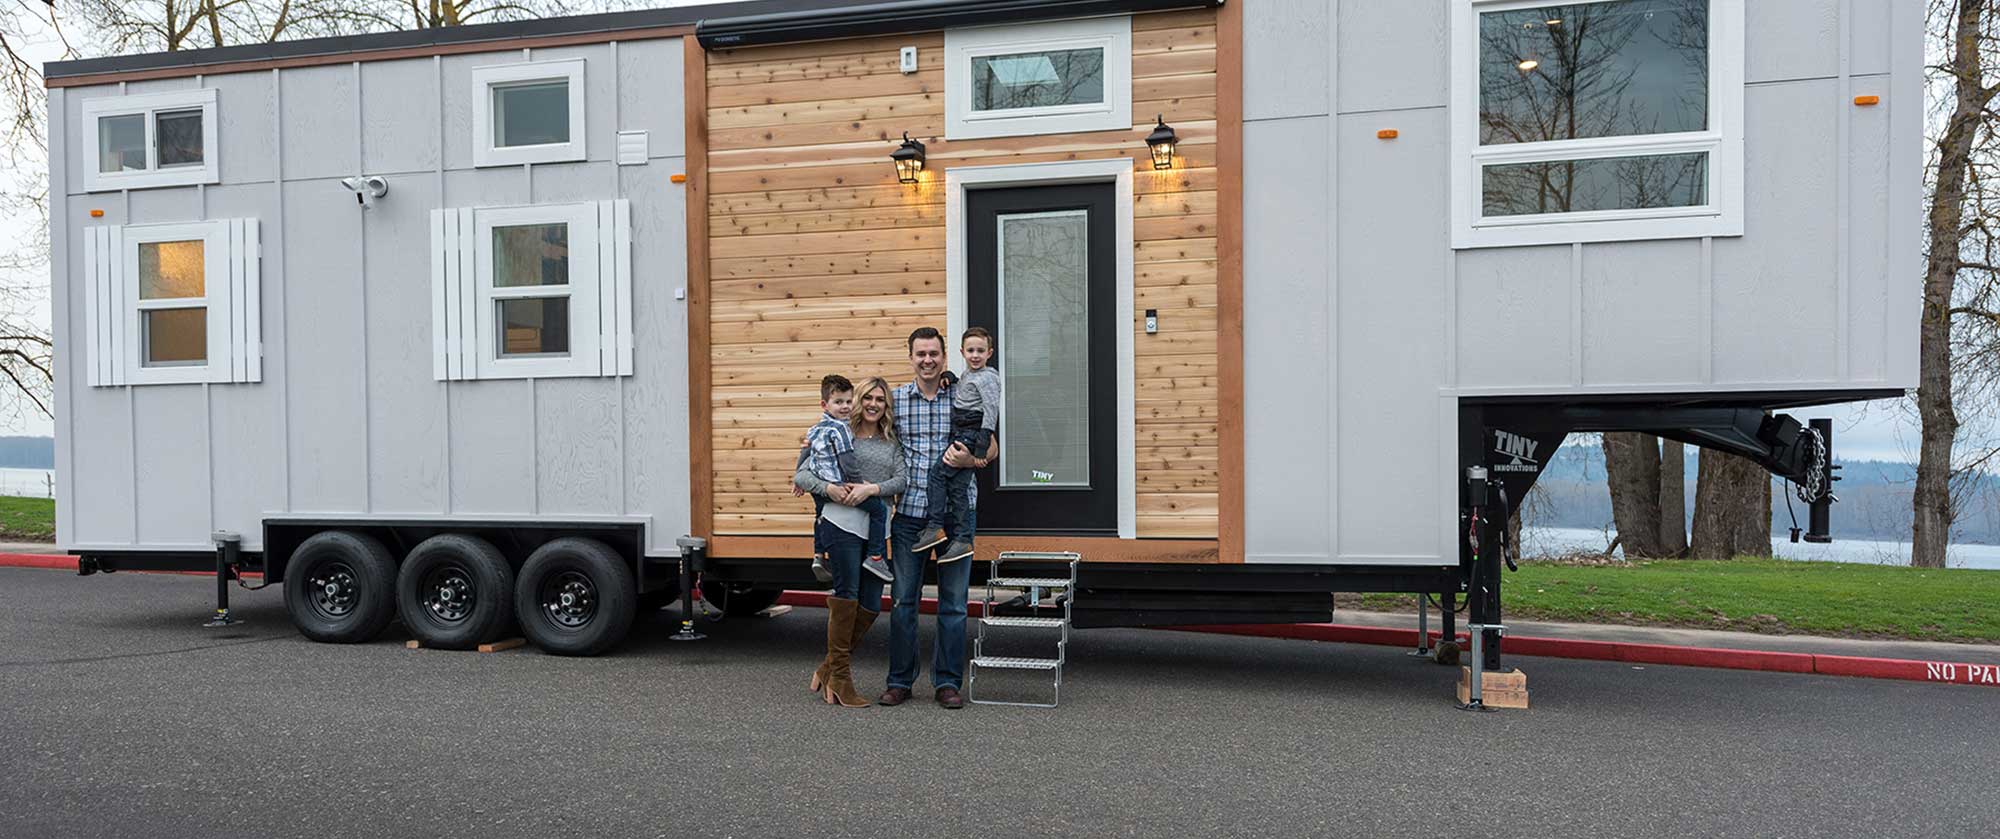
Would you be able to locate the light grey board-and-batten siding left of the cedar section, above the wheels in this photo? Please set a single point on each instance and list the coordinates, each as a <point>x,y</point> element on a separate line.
<point>349,415</point>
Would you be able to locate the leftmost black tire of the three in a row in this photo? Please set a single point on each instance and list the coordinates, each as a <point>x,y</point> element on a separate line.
<point>341,588</point>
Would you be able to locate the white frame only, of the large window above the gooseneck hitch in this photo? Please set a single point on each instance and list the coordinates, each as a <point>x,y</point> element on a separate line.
<point>1723,143</point>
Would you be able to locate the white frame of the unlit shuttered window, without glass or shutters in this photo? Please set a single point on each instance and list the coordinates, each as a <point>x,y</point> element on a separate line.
<point>581,291</point>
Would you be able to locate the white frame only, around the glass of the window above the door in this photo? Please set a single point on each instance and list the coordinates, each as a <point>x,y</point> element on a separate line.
<point>1109,35</point>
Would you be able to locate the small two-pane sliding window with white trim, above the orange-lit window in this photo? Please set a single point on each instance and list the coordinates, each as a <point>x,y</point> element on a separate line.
<point>135,143</point>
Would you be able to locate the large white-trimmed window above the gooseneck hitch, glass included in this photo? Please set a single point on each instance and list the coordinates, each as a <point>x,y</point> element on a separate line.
<point>1597,121</point>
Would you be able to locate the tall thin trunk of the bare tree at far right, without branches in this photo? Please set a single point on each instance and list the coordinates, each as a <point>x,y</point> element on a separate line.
<point>1931,530</point>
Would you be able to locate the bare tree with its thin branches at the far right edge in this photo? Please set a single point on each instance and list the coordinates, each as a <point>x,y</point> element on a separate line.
<point>1959,337</point>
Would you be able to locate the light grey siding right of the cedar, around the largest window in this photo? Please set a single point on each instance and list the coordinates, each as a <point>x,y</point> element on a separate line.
<point>1363,325</point>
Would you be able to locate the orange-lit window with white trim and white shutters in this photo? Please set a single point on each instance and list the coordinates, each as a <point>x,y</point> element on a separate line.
<point>173,303</point>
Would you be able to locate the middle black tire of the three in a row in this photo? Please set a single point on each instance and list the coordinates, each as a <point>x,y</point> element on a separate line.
<point>455,592</point>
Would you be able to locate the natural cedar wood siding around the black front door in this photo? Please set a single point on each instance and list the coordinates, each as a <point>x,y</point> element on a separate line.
<point>821,263</point>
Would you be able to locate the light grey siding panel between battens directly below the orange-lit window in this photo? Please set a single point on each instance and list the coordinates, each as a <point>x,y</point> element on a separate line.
<point>173,464</point>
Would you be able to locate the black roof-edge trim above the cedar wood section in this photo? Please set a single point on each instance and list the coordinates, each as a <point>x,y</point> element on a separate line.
<point>893,17</point>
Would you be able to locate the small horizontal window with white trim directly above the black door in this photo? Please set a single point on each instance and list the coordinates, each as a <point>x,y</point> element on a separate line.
<point>1039,79</point>
